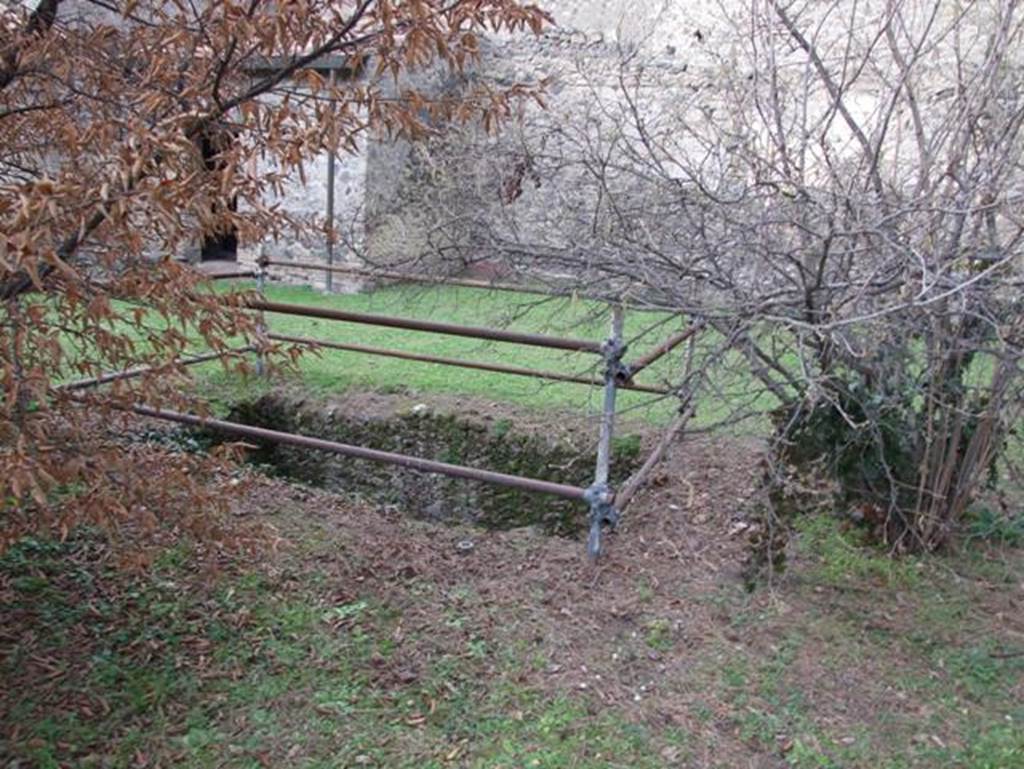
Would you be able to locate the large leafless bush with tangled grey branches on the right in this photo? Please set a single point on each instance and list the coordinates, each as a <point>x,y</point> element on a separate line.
<point>839,191</point>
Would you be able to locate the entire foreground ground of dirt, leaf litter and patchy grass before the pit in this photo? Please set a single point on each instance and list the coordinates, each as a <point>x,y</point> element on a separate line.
<point>370,638</point>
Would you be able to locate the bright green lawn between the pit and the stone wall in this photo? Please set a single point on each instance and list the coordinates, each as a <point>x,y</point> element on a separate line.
<point>332,372</point>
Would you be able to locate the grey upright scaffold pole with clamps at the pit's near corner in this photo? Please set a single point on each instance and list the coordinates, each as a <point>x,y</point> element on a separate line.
<point>600,495</point>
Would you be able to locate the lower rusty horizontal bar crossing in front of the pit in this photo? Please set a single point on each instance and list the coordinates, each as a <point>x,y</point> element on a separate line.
<point>413,463</point>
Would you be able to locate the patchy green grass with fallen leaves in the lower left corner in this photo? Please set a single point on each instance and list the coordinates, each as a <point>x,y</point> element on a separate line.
<point>249,668</point>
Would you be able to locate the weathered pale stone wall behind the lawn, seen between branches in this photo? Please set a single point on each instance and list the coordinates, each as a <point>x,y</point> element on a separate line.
<point>466,194</point>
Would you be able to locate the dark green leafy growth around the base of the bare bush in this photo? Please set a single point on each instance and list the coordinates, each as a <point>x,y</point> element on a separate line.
<point>906,475</point>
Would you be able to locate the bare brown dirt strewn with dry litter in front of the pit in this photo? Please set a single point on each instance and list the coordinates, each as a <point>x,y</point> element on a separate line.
<point>647,632</point>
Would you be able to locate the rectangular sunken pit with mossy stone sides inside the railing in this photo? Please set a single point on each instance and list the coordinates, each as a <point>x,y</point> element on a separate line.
<point>456,432</point>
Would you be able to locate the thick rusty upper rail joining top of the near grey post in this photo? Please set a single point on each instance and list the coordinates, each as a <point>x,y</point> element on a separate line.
<point>498,335</point>
